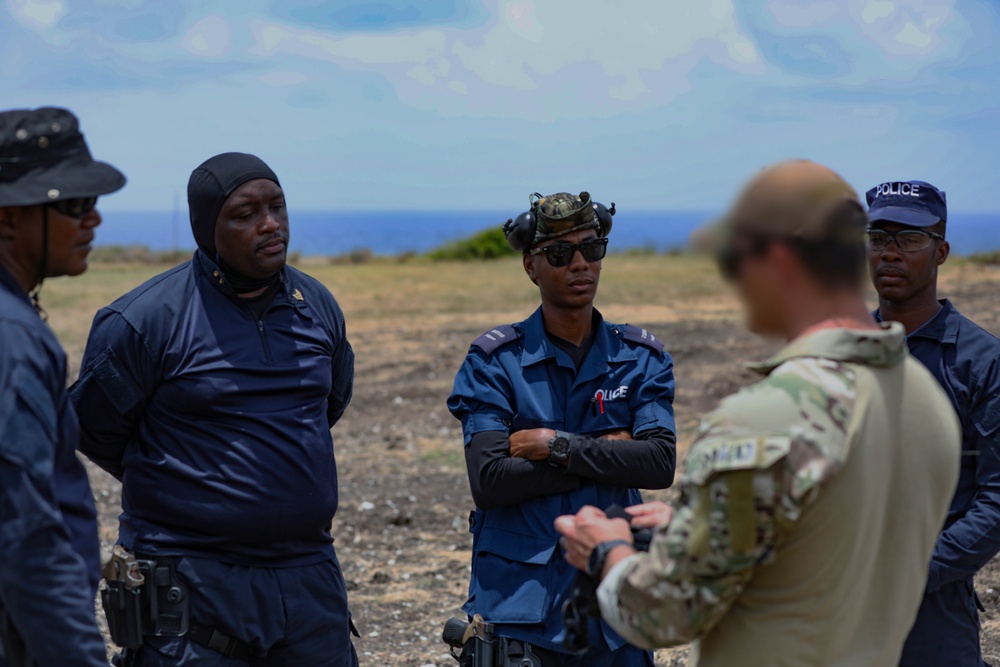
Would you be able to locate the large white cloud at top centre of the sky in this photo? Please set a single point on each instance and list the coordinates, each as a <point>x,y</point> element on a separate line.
<point>618,50</point>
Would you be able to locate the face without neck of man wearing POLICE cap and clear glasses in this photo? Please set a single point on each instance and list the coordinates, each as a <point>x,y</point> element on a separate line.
<point>901,276</point>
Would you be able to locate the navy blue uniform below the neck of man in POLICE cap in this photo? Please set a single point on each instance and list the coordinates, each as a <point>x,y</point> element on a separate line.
<point>965,359</point>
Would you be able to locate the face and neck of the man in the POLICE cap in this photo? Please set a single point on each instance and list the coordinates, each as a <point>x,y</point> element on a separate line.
<point>906,282</point>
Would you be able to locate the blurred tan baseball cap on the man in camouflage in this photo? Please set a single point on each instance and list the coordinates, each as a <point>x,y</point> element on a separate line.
<point>792,199</point>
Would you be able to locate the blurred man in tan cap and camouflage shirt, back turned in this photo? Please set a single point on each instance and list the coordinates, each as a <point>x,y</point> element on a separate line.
<point>809,503</point>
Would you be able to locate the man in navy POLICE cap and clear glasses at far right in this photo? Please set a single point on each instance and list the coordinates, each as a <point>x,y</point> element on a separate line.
<point>906,245</point>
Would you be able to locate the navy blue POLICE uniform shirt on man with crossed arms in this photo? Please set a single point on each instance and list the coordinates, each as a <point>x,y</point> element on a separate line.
<point>514,378</point>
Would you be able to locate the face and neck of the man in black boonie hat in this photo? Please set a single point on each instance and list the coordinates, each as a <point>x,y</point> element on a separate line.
<point>21,242</point>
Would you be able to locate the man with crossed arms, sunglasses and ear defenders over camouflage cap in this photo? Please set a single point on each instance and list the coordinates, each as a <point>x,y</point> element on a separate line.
<point>560,411</point>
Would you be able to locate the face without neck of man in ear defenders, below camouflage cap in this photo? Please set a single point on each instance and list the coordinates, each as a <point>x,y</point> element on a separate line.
<point>567,287</point>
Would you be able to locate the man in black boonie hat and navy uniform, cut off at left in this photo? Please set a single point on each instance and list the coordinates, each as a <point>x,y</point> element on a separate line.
<point>49,552</point>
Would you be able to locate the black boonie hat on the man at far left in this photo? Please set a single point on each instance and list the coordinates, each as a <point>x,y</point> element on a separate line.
<point>44,158</point>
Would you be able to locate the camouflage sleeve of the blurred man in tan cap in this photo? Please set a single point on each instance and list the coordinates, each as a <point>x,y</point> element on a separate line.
<point>757,463</point>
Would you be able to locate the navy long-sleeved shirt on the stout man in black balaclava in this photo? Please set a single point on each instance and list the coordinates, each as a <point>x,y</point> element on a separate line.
<point>217,422</point>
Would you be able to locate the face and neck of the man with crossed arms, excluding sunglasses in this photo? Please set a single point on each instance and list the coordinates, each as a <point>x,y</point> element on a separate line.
<point>567,291</point>
